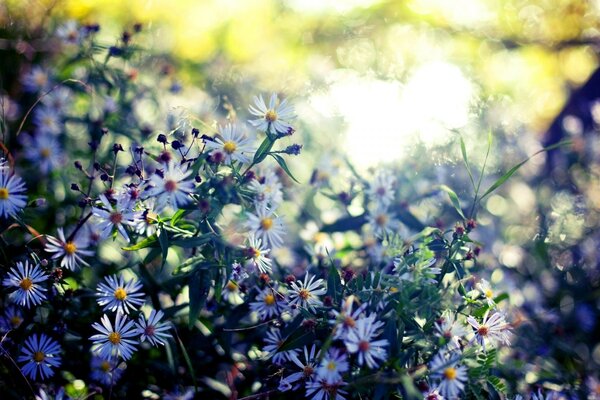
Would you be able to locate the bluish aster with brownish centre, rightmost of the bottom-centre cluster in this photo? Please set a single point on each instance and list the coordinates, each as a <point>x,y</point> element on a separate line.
<point>360,340</point>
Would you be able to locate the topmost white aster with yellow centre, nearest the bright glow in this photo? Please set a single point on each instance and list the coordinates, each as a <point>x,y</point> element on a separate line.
<point>274,118</point>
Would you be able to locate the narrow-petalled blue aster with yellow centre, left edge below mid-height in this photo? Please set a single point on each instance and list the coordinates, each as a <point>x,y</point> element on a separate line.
<point>26,278</point>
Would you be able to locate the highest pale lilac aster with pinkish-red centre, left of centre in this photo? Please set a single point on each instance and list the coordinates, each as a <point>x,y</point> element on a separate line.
<point>172,188</point>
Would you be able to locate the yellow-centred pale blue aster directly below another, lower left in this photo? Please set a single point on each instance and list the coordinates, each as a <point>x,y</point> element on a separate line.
<point>114,342</point>
